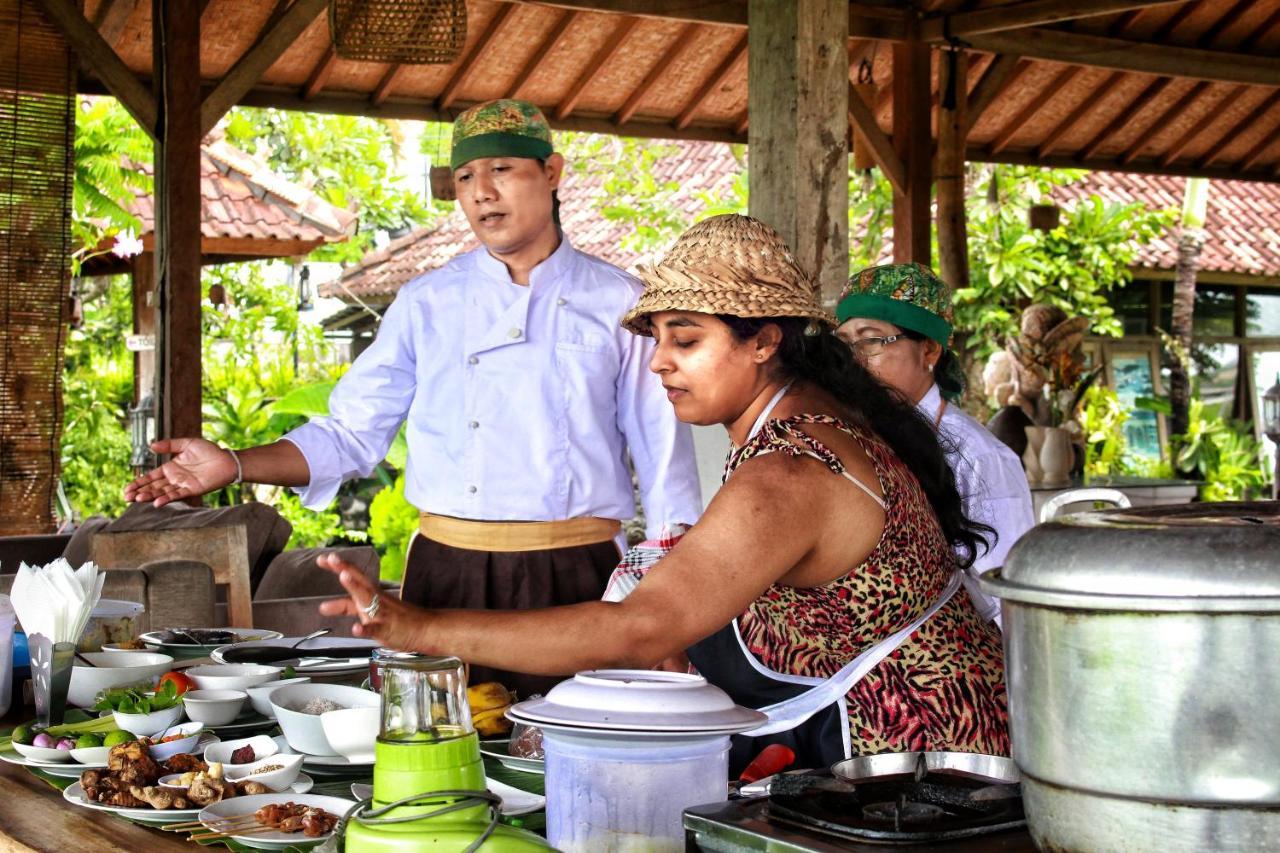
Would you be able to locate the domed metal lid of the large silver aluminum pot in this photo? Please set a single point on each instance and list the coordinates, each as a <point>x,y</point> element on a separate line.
<point>1191,558</point>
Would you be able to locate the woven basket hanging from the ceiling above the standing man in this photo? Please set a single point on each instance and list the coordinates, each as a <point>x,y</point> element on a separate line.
<point>412,33</point>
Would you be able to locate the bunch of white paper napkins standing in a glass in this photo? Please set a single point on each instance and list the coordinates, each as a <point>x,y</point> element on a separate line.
<point>56,601</point>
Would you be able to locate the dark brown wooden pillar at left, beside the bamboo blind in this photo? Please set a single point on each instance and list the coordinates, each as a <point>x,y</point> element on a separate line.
<point>176,25</point>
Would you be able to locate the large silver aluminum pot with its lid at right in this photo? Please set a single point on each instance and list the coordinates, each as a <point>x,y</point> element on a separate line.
<point>1142,653</point>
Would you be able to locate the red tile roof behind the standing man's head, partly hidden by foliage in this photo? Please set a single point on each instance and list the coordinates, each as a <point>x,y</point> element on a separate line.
<point>700,168</point>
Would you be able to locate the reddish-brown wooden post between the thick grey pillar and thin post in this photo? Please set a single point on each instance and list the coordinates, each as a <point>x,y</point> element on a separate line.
<point>913,143</point>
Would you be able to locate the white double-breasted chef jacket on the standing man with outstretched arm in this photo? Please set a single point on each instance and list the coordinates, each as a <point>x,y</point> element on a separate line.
<point>522,402</point>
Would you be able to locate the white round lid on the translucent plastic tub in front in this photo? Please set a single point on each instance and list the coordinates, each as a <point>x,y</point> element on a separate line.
<point>639,701</point>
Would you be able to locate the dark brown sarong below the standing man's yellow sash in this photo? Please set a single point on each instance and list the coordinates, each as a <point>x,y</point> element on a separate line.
<point>440,576</point>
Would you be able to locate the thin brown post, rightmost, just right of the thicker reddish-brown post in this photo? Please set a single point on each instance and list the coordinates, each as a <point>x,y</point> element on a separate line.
<point>953,116</point>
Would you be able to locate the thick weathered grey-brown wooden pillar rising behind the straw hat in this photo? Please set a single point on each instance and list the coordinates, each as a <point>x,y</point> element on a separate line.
<point>798,80</point>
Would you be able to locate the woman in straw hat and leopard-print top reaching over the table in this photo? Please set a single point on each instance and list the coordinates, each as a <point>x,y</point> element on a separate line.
<point>821,582</point>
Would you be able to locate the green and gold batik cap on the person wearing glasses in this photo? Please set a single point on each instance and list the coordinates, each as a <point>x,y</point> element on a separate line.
<point>911,297</point>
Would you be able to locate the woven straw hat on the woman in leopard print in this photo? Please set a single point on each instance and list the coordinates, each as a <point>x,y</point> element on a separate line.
<point>728,264</point>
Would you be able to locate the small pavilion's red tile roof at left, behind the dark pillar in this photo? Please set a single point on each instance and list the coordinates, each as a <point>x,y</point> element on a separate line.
<point>241,198</point>
